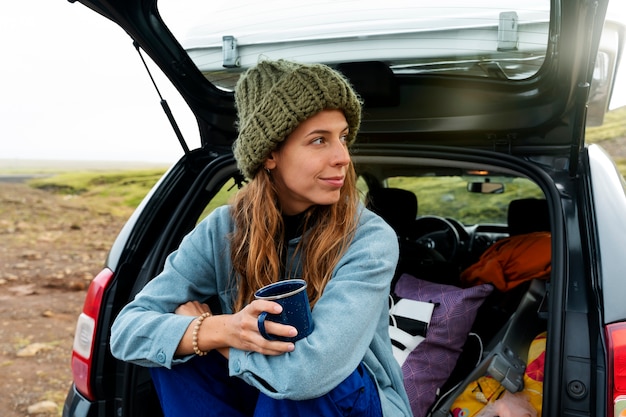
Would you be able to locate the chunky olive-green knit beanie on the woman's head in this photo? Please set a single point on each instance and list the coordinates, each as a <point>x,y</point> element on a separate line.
<point>274,97</point>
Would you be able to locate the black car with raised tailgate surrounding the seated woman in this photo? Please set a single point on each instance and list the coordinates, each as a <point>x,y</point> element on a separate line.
<point>476,127</point>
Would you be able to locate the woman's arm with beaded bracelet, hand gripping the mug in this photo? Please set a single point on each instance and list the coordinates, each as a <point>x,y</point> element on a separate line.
<point>148,331</point>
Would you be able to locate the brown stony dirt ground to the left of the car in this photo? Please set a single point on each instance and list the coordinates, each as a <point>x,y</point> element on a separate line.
<point>51,248</point>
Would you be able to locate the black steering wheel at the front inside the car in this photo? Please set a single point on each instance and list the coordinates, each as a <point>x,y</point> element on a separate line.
<point>439,234</point>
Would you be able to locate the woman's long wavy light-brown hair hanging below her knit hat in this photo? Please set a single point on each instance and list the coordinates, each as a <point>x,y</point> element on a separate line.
<point>258,239</point>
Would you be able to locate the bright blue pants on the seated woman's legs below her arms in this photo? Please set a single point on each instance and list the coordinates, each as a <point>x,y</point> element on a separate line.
<point>201,387</point>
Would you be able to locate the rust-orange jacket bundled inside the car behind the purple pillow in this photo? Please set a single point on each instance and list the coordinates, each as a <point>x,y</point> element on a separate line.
<point>511,261</point>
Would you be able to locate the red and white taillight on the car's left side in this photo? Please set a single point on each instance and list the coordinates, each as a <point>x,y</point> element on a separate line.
<point>86,327</point>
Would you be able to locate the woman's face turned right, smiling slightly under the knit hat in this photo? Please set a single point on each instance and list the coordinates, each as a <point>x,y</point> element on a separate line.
<point>310,166</point>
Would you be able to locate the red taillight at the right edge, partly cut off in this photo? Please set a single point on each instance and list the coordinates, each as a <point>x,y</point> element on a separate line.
<point>616,341</point>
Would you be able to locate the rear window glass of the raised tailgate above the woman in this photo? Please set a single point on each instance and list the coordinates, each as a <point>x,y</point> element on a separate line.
<point>504,40</point>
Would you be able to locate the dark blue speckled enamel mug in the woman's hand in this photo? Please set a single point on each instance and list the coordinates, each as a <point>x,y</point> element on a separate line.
<point>291,295</point>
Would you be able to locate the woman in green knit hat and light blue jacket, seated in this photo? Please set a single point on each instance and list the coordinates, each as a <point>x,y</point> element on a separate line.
<point>298,217</point>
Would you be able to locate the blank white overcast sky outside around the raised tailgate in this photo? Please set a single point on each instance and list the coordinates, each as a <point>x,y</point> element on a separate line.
<point>73,87</point>
